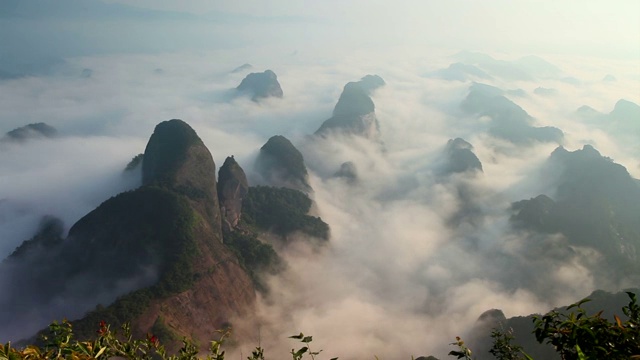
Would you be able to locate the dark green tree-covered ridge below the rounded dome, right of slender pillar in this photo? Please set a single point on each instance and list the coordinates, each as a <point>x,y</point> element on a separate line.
<point>282,211</point>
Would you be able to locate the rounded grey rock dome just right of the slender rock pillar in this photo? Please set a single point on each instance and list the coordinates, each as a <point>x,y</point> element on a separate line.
<point>281,164</point>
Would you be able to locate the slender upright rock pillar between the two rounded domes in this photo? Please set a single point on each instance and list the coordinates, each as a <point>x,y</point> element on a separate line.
<point>232,189</point>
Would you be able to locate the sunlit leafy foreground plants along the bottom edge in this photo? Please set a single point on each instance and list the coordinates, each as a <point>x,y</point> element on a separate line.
<point>575,335</point>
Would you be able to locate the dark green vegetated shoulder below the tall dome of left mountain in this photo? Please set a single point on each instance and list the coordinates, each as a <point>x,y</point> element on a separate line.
<point>152,223</point>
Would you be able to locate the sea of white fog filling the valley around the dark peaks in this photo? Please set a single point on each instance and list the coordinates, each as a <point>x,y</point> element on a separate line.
<point>398,278</point>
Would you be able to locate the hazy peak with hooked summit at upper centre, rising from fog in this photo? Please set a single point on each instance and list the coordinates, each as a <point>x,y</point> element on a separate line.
<point>355,111</point>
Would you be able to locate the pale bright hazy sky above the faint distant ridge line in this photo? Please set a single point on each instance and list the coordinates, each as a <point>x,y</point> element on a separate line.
<point>603,28</point>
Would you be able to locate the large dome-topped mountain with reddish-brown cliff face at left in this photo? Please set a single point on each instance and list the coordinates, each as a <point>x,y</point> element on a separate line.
<point>159,247</point>
